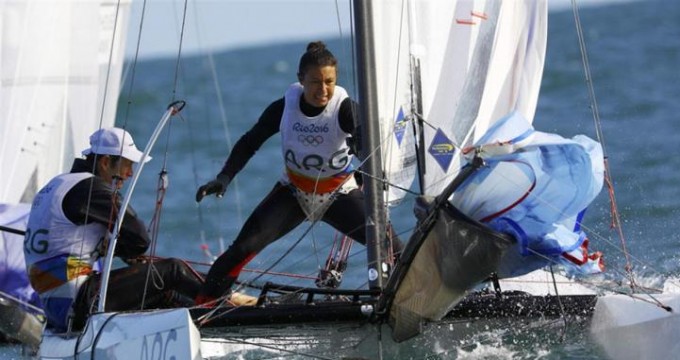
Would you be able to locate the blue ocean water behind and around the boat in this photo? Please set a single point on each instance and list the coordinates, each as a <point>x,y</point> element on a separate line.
<point>634,55</point>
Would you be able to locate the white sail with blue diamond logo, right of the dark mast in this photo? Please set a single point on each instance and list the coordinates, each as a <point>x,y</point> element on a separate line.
<point>478,61</point>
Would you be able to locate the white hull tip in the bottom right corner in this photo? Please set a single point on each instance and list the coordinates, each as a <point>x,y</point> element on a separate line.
<point>637,328</point>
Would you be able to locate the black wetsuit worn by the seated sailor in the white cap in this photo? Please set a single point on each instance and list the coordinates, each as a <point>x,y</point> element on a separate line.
<point>172,282</point>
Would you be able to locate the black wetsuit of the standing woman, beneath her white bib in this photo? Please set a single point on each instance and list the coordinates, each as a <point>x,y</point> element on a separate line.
<point>279,212</point>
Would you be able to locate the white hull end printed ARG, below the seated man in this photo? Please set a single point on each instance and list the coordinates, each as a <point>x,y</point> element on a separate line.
<point>158,334</point>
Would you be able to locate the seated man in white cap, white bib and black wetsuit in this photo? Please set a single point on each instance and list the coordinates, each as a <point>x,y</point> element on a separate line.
<point>67,234</point>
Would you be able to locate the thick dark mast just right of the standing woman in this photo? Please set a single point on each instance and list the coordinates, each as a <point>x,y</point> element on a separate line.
<point>376,246</point>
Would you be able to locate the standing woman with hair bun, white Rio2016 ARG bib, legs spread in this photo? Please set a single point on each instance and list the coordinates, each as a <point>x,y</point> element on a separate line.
<point>315,118</point>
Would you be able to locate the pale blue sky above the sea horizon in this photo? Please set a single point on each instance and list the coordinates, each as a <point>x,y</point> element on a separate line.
<point>215,25</point>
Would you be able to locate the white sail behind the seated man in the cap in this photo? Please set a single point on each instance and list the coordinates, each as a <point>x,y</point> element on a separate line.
<point>56,85</point>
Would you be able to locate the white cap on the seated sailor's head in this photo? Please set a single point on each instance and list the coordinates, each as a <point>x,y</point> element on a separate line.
<point>114,141</point>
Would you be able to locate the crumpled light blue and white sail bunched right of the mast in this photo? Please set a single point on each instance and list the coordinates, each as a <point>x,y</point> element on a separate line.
<point>535,186</point>
